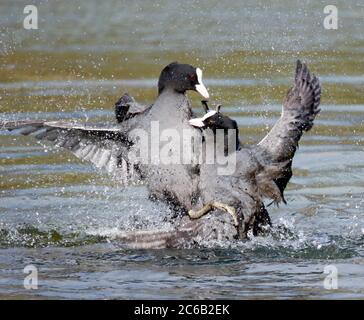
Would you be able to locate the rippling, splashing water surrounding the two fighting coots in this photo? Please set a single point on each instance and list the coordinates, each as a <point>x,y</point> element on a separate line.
<point>62,215</point>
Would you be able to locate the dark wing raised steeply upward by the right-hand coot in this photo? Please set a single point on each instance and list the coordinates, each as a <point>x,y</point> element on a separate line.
<point>276,151</point>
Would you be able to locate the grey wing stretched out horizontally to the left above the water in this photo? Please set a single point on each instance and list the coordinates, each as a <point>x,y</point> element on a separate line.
<point>104,146</point>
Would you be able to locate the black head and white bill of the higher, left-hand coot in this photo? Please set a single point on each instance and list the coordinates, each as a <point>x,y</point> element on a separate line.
<point>182,77</point>
